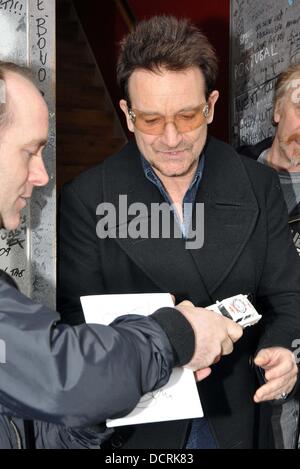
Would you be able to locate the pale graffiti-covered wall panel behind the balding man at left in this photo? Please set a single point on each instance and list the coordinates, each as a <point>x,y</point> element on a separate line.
<point>27,37</point>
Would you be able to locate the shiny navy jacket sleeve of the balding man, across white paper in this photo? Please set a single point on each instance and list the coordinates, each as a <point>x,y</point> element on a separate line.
<point>81,375</point>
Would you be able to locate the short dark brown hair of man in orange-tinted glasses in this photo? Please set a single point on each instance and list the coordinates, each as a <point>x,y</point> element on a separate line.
<point>168,42</point>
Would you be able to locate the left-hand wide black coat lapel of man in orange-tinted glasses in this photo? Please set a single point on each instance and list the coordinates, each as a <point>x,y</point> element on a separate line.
<point>165,261</point>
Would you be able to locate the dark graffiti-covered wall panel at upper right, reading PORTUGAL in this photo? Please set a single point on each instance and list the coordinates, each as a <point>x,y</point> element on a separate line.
<point>265,39</point>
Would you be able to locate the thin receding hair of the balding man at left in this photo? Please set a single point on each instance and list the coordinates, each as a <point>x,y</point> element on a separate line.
<point>5,112</point>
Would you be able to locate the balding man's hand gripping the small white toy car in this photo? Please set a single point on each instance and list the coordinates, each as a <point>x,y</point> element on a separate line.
<point>214,336</point>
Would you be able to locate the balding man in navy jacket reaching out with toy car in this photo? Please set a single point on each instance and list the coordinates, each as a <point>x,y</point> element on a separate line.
<point>66,377</point>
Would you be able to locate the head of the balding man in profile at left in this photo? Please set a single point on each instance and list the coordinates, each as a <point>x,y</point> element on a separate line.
<point>23,136</point>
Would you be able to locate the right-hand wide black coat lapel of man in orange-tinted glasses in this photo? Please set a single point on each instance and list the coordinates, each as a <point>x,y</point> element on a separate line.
<point>230,213</point>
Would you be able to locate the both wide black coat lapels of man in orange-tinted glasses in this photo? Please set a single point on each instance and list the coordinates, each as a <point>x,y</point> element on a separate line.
<point>230,212</point>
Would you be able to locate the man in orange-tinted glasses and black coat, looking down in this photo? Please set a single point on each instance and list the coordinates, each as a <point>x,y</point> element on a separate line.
<point>167,71</point>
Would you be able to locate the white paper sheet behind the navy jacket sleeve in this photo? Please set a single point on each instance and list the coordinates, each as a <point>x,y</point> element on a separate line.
<point>179,398</point>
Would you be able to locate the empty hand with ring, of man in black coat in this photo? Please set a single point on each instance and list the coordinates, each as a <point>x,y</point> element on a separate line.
<point>281,372</point>
